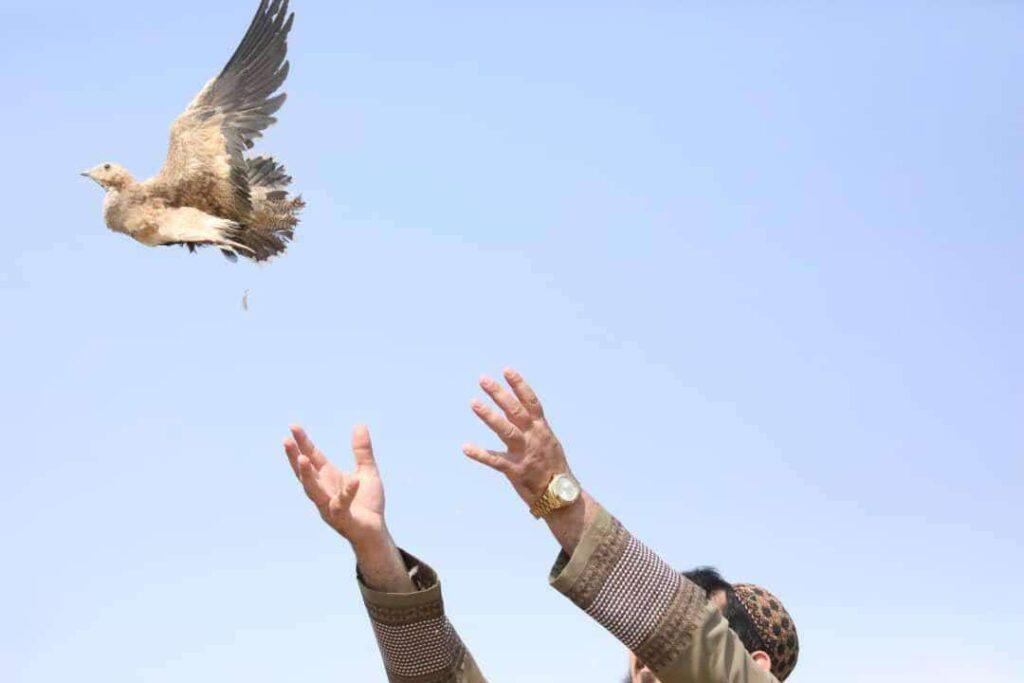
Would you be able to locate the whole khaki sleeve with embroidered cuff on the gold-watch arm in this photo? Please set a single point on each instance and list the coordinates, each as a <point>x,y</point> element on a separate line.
<point>657,613</point>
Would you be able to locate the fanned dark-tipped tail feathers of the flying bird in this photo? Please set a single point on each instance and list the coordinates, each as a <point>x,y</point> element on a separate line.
<point>272,225</point>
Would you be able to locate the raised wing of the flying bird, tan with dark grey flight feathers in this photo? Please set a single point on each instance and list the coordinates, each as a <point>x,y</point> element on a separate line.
<point>205,167</point>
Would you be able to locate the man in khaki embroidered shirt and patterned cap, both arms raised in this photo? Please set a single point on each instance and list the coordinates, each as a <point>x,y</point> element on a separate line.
<point>678,627</point>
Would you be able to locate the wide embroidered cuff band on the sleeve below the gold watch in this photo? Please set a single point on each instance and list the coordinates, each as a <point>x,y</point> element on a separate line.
<point>631,591</point>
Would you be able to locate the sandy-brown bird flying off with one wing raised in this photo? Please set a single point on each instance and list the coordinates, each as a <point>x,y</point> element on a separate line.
<point>210,191</point>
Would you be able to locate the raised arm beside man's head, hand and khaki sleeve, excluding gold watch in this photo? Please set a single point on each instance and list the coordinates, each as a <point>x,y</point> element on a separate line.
<point>663,618</point>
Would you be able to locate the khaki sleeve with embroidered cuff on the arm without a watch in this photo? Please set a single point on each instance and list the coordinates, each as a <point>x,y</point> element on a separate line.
<point>417,642</point>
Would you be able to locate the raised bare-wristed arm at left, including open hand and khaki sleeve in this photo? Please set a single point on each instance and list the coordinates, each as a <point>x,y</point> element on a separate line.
<point>402,594</point>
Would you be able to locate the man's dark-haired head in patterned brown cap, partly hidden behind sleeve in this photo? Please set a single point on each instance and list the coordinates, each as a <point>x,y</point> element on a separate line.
<point>758,619</point>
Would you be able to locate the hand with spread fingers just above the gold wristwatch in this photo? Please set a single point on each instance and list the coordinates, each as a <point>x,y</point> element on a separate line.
<point>534,454</point>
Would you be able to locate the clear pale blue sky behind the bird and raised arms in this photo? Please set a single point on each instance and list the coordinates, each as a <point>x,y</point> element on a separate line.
<point>764,265</point>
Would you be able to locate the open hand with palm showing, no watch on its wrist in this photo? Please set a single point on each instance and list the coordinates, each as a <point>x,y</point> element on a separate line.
<point>353,503</point>
